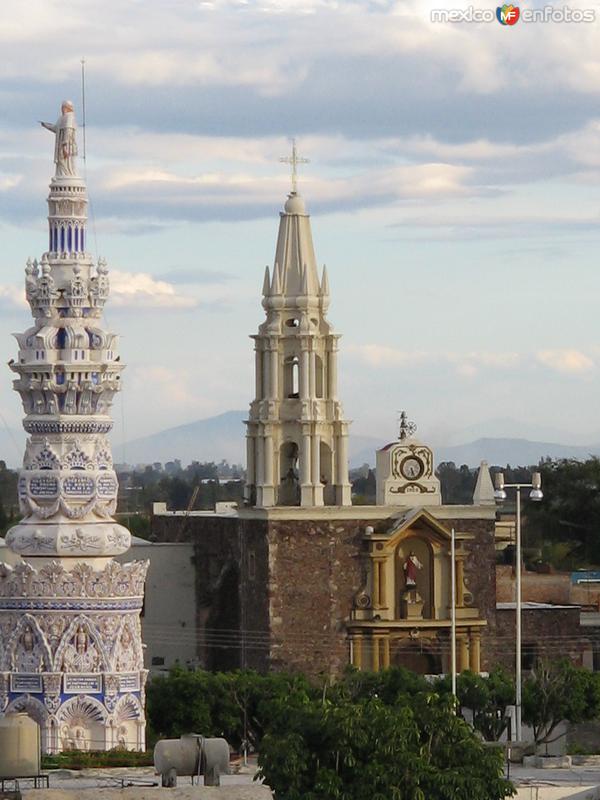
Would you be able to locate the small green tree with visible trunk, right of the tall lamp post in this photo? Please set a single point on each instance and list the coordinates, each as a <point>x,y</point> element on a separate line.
<point>558,691</point>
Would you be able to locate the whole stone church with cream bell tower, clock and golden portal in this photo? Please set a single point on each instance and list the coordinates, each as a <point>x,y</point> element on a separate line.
<point>299,578</point>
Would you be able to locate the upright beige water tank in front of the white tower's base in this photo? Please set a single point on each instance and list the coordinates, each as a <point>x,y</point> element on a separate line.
<point>19,746</point>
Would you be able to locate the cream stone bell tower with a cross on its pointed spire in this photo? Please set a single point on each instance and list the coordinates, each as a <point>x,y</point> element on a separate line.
<point>297,436</point>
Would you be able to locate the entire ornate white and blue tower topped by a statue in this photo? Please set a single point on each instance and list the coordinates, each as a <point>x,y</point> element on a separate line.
<point>70,639</point>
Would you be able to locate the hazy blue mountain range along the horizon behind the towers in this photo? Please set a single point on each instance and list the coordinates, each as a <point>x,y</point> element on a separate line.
<point>222,437</point>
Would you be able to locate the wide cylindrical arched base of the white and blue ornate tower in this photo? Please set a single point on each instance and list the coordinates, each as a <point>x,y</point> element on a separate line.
<point>72,653</point>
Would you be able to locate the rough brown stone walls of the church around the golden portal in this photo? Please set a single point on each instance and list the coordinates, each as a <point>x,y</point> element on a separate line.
<point>289,585</point>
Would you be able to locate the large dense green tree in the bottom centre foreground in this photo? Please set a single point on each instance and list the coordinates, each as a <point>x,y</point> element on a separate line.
<point>373,751</point>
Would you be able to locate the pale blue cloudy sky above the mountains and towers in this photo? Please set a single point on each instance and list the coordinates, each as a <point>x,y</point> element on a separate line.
<point>454,186</point>
